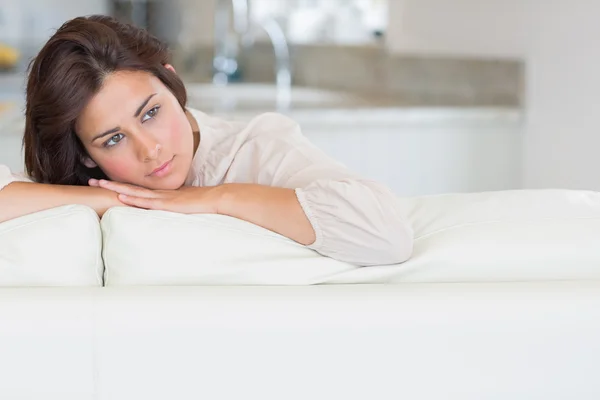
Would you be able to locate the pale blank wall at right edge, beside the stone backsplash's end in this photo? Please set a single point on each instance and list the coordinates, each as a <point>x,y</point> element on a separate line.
<point>562,141</point>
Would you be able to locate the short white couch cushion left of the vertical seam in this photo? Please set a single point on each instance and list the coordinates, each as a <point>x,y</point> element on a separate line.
<point>56,247</point>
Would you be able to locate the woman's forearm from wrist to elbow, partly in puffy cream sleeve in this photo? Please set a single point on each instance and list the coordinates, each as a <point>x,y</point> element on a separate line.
<point>353,221</point>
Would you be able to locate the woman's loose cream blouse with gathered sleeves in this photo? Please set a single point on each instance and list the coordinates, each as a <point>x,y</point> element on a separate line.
<point>355,219</point>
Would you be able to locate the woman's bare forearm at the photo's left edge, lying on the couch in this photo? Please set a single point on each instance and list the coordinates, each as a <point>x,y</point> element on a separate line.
<point>21,198</point>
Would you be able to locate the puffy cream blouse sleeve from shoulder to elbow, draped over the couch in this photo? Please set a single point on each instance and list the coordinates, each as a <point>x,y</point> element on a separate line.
<point>355,220</point>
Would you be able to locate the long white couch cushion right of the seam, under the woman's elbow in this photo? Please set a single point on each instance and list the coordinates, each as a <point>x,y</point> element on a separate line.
<point>521,235</point>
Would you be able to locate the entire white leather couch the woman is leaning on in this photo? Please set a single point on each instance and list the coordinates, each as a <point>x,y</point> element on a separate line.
<point>501,300</point>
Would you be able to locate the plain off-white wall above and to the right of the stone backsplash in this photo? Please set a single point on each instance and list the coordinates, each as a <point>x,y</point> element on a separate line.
<point>557,39</point>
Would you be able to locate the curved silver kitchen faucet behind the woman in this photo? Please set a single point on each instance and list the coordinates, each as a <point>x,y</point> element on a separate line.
<point>225,62</point>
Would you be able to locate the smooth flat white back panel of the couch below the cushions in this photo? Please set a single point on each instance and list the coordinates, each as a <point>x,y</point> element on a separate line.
<point>413,341</point>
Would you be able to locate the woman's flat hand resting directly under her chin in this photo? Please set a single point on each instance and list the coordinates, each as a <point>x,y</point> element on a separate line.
<point>186,200</point>
